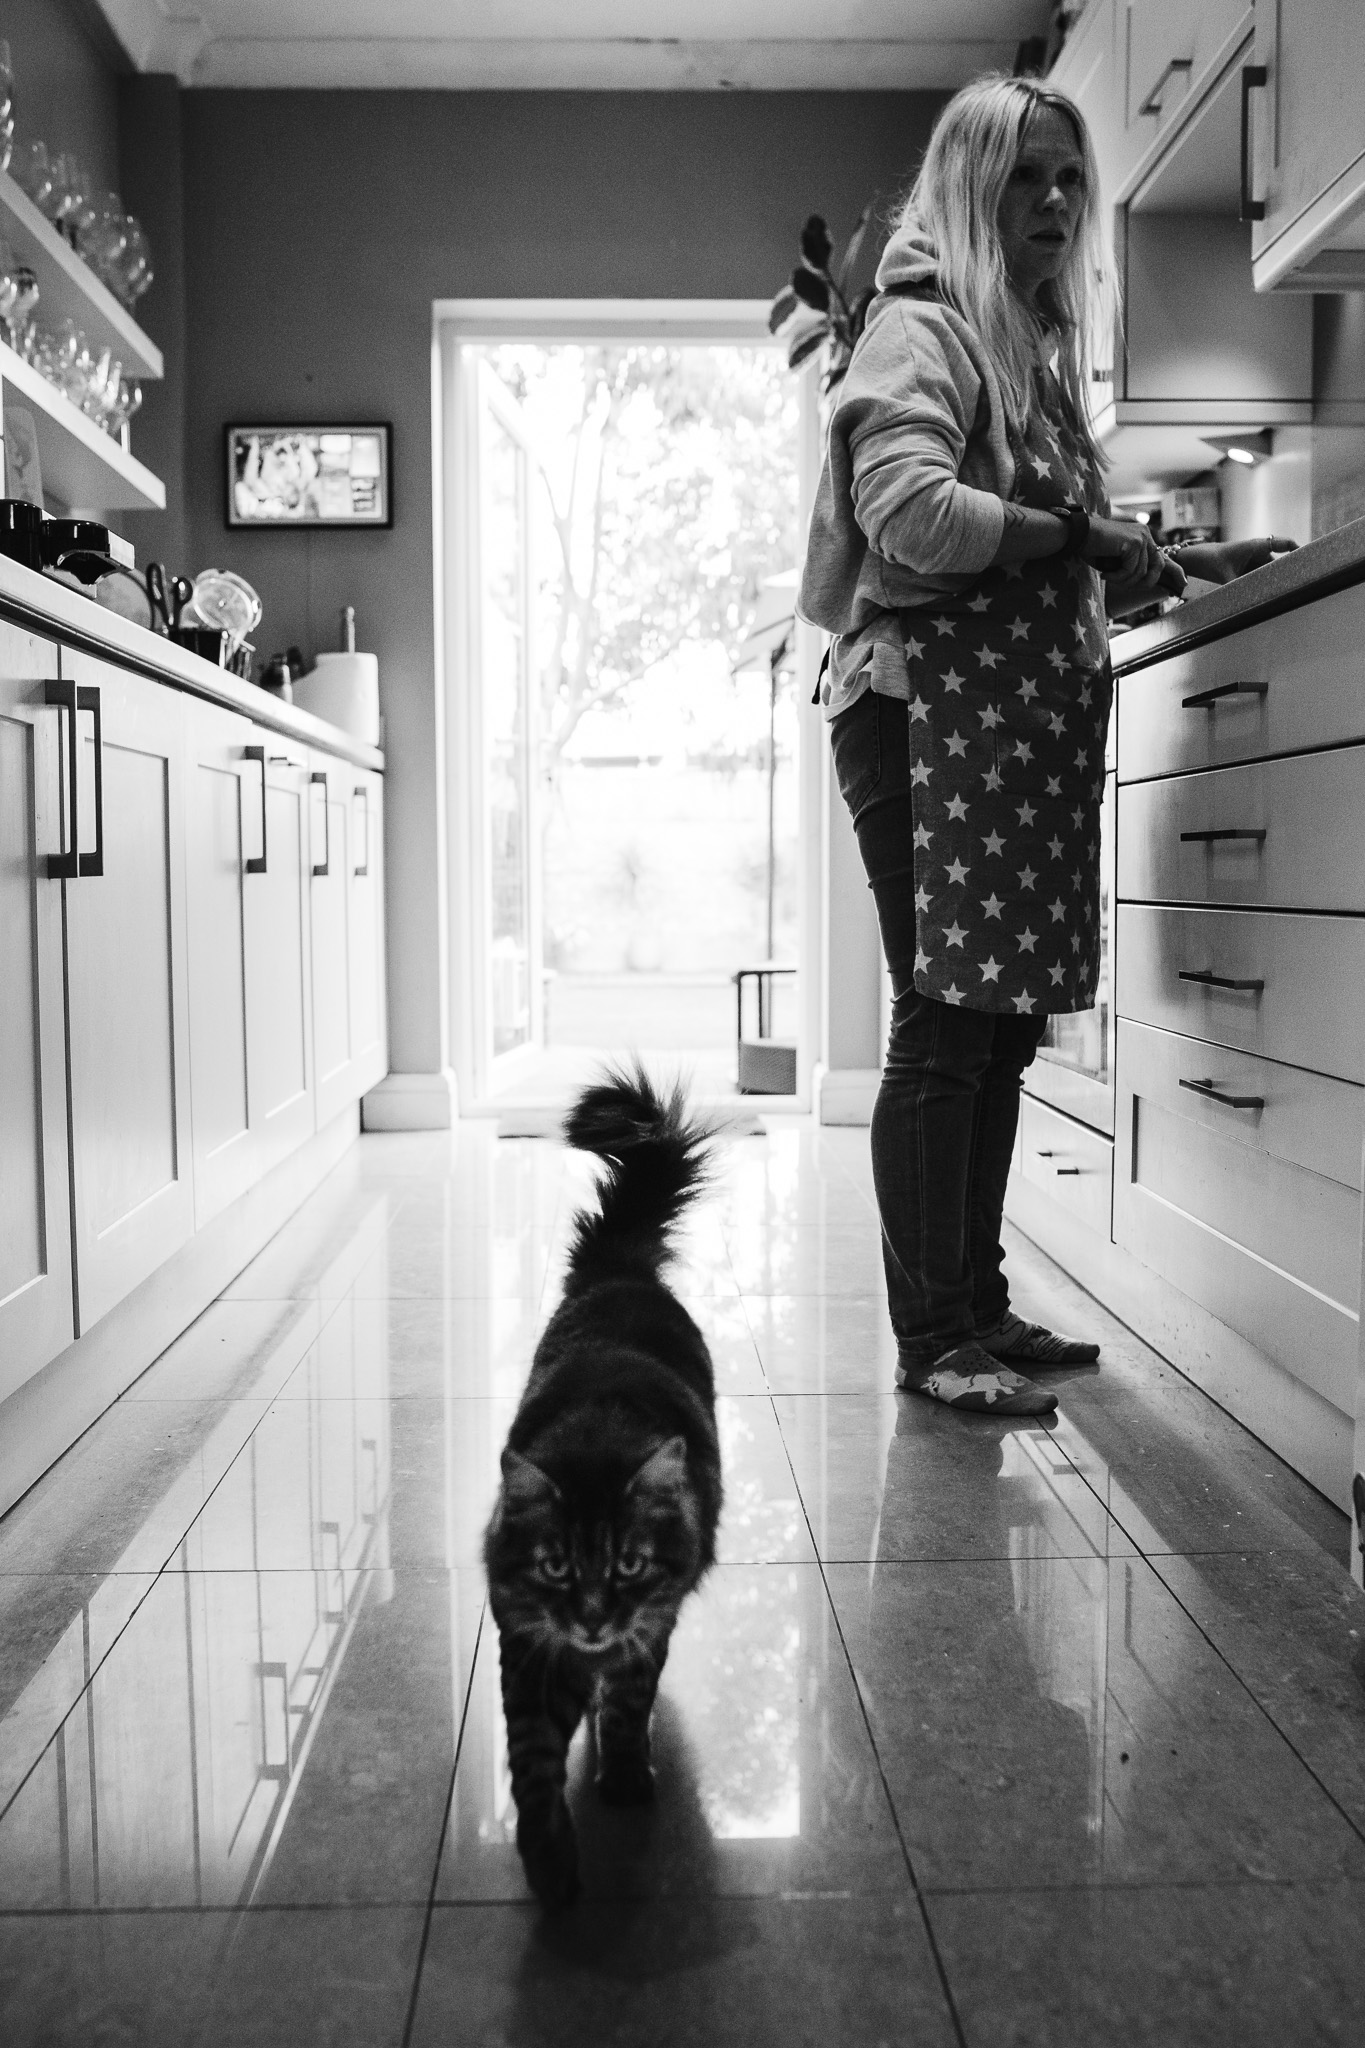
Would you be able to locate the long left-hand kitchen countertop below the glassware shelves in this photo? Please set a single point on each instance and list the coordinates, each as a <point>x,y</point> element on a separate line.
<point>62,613</point>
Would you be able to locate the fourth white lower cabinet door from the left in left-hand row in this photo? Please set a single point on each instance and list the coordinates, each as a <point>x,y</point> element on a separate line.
<point>279,1000</point>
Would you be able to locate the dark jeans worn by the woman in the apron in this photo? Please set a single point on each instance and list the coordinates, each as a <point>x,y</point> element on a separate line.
<point>949,1107</point>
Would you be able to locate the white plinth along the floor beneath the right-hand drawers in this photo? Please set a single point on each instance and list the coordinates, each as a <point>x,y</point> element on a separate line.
<point>1301,1426</point>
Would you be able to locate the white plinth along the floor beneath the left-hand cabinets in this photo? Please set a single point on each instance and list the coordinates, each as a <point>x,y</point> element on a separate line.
<point>56,1406</point>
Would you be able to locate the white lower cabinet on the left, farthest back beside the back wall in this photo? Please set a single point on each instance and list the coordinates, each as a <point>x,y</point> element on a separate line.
<point>347,933</point>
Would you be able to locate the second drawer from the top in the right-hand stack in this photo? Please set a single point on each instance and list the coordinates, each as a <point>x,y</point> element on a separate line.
<point>1305,847</point>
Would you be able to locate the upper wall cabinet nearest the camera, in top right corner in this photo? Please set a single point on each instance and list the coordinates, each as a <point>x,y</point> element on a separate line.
<point>1309,159</point>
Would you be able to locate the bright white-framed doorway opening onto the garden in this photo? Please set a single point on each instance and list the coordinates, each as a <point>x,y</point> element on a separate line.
<point>633,765</point>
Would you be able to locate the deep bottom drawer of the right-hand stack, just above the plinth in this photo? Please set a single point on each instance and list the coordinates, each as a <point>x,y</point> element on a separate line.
<point>1256,1213</point>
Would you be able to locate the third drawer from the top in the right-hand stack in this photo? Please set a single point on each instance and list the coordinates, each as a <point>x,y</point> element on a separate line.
<point>1311,970</point>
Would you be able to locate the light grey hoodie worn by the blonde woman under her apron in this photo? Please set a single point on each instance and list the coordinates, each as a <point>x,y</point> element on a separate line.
<point>916,470</point>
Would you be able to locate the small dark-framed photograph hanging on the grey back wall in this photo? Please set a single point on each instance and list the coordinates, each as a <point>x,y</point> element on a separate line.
<point>310,476</point>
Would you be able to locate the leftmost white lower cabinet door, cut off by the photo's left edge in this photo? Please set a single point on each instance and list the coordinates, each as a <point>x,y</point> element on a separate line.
<point>36,1213</point>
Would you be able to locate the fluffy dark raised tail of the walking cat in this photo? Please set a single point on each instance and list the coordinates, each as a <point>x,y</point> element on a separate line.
<point>656,1164</point>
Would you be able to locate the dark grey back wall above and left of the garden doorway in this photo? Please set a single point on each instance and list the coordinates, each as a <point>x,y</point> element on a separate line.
<point>318,232</point>
